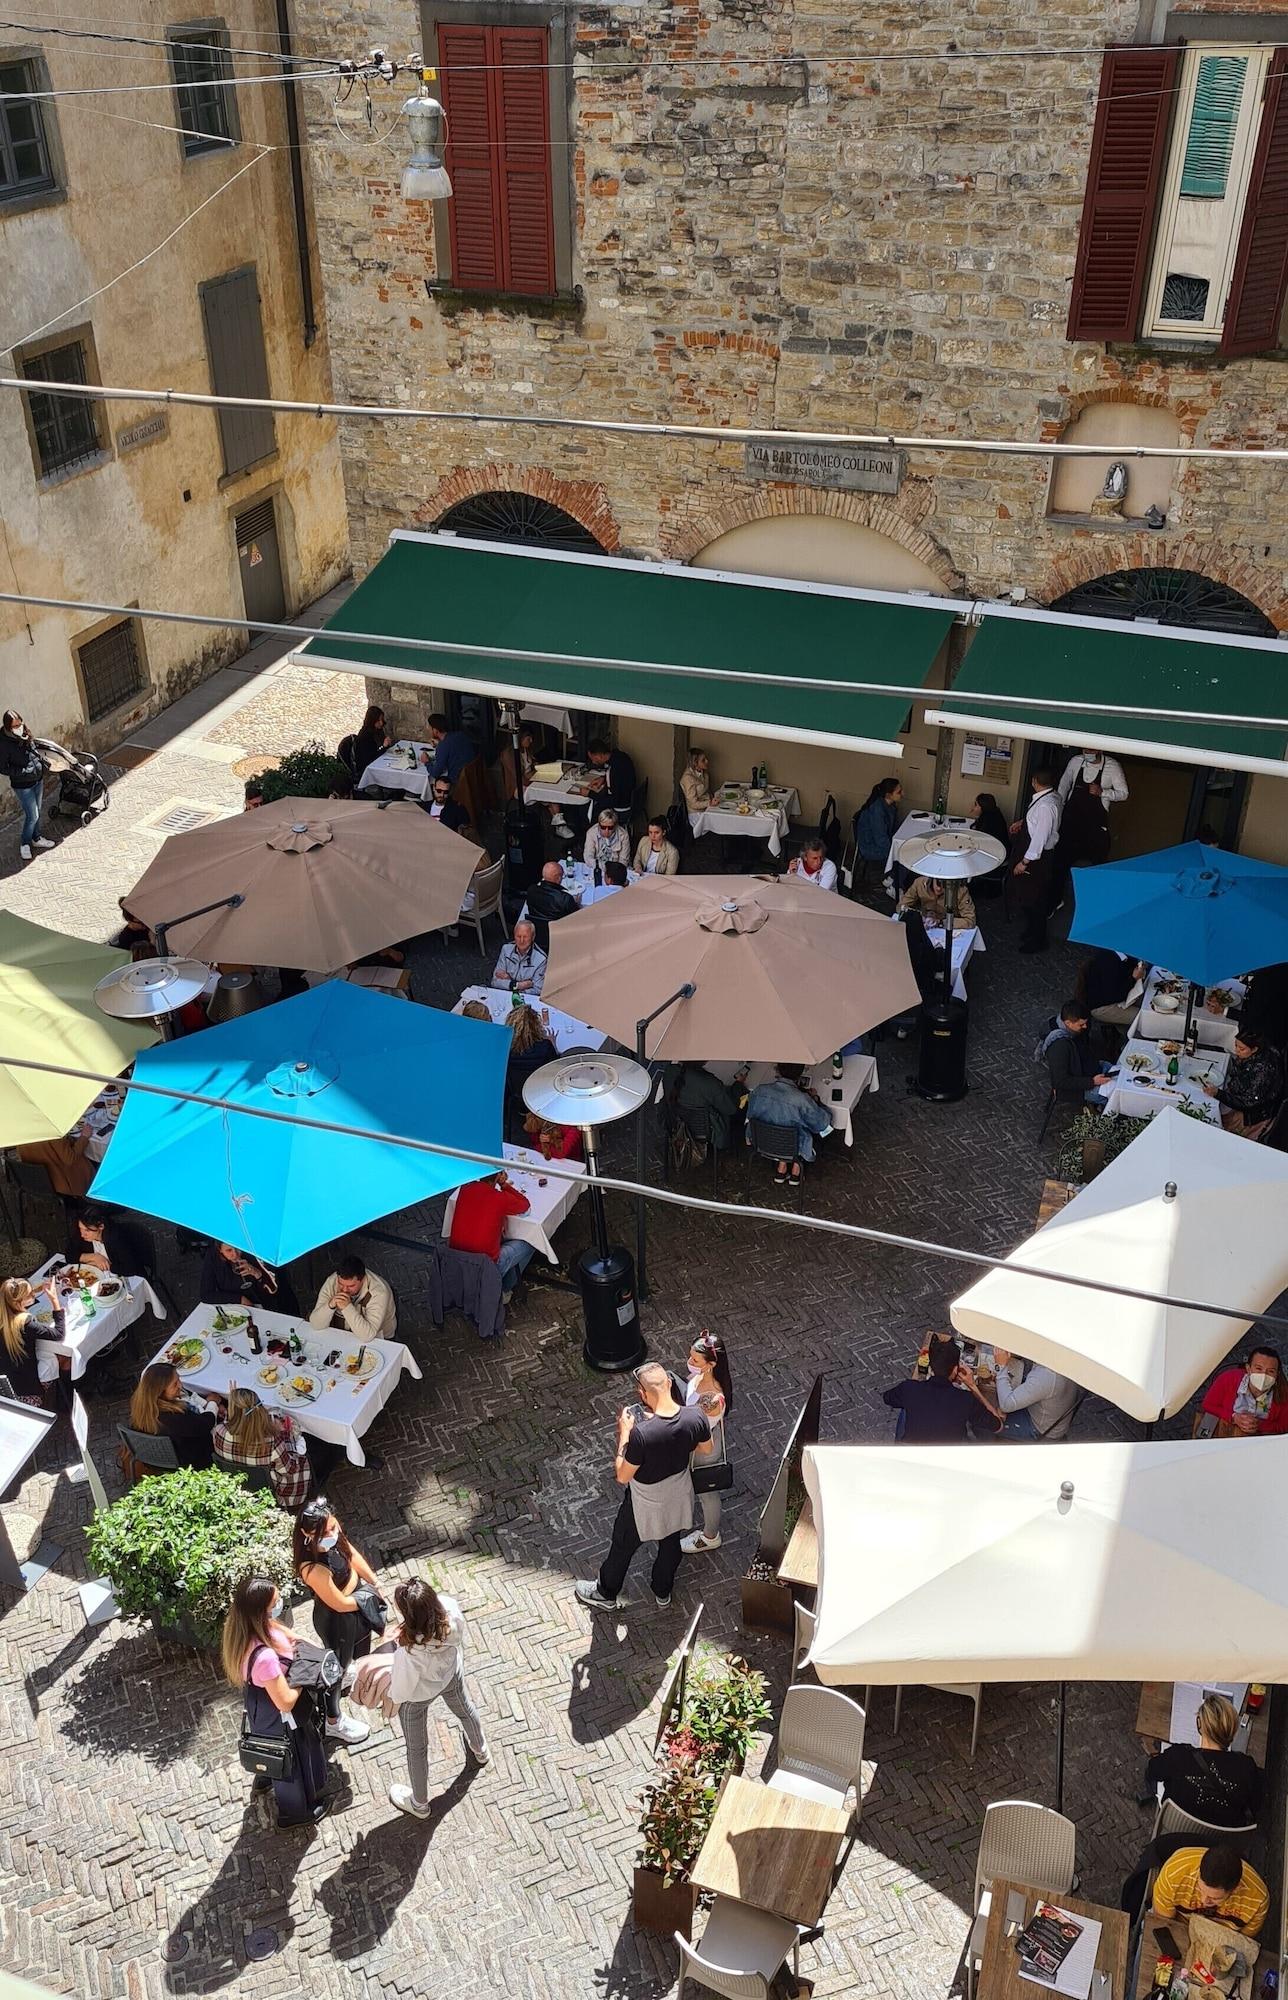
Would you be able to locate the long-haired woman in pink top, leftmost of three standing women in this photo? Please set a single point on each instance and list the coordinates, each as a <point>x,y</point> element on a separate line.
<point>257,1655</point>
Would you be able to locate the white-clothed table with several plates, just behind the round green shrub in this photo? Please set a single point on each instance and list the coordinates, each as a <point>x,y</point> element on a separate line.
<point>343,1413</point>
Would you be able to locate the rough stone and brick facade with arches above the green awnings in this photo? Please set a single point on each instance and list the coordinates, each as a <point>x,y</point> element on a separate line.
<point>819,217</point>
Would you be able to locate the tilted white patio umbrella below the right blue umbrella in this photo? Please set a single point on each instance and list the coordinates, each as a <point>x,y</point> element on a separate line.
<point>1187,1209</point>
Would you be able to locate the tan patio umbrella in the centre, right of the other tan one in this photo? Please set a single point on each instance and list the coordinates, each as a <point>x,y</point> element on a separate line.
<point>783,971</point>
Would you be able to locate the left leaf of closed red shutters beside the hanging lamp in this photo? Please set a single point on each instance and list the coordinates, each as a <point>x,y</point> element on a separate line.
<point>471,159</point>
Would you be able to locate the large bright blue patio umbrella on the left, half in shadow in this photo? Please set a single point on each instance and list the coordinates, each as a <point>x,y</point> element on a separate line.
<point>337,1053</point>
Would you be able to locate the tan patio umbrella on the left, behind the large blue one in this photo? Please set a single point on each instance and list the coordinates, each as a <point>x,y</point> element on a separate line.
<point>323,881</point>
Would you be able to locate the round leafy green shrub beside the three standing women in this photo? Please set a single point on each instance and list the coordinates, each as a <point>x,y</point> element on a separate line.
<point>177,1547</point>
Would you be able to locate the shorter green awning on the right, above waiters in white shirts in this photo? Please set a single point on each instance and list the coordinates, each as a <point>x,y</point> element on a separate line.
<point>1047,657</point>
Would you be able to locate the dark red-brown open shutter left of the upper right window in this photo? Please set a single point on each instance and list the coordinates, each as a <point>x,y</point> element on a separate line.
<point>1129,145</point>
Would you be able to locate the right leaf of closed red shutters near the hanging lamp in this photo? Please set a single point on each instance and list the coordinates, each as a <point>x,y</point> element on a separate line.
<point>525,171</point>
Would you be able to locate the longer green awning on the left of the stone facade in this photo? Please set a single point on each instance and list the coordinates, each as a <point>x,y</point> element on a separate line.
<point>647,617</point>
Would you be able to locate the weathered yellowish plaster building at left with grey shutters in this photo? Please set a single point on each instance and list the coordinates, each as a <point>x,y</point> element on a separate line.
<point>125,503</point>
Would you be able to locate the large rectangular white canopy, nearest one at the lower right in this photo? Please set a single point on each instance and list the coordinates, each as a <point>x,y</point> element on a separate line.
<point>969,1563</point>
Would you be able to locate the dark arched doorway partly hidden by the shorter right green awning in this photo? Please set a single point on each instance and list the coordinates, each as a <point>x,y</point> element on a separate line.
<point>1171,803</point>
